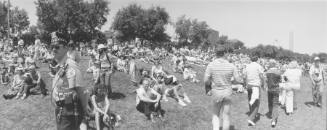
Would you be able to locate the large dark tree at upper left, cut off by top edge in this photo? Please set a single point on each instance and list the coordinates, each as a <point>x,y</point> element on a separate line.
<point>73,18</point>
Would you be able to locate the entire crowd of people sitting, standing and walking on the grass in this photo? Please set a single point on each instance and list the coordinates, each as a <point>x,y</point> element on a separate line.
<point>76,105</point>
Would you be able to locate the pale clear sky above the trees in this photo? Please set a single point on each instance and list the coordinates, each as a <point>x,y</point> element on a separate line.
<point>250,21</point>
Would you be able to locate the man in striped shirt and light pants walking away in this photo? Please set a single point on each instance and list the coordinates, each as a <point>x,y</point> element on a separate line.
<point>218,85</point>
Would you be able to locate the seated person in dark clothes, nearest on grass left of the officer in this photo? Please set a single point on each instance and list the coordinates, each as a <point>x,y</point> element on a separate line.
<point>33,82</point>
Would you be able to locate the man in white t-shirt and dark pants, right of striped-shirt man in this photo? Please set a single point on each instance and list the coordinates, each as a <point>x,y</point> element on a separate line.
<point>254,80</point>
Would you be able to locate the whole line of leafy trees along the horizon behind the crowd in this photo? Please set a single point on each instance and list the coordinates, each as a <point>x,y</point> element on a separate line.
<point>81,21</point>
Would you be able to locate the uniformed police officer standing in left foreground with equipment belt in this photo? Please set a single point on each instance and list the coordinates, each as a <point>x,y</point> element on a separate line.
<point>68,92</point>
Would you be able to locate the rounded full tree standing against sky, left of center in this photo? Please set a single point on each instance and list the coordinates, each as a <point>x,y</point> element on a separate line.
<point>134,21</point>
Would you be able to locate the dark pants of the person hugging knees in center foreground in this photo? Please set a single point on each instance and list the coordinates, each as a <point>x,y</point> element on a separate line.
<point>147,108</point>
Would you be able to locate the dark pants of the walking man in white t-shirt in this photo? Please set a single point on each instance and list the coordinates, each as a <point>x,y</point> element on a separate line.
<point>254,108</point>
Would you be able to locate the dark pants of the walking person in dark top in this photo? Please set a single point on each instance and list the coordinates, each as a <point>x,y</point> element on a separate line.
<point>273,100</point>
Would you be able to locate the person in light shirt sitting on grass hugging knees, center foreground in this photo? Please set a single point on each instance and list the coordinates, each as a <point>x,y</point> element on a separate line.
<point>148,100</point>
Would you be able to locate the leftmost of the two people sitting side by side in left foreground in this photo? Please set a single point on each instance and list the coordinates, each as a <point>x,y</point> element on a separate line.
<point>17,84</point>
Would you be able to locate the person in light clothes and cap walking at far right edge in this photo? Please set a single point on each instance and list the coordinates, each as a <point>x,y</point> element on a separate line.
<point>318,80</point>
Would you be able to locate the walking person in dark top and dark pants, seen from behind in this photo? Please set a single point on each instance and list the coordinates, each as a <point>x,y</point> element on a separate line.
<point>273,76</point>
